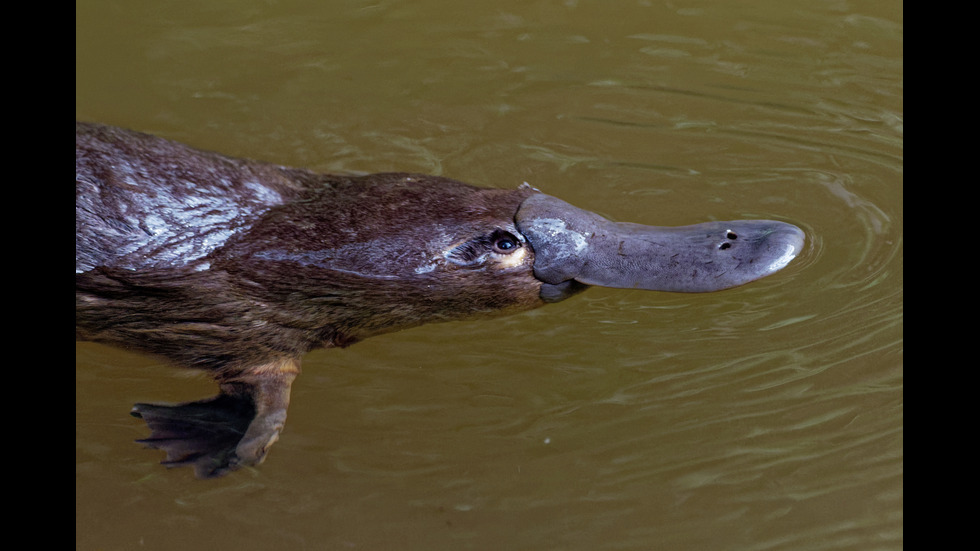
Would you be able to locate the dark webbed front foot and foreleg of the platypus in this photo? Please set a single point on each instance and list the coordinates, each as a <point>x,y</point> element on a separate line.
<point>221,434</point>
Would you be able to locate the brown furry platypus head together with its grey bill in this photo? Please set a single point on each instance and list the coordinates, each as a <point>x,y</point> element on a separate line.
<point>384,252</point>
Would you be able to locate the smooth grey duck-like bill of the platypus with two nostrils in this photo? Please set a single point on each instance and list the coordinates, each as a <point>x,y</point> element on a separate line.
<point>574,244</point>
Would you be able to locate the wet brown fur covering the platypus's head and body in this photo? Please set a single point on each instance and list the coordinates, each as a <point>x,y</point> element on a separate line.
<point>242,262</point>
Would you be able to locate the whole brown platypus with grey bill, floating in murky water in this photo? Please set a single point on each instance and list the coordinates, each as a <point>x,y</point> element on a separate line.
<point>241,267</point>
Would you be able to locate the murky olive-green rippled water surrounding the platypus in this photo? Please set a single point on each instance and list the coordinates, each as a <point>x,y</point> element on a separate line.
<point>768,417</point>
